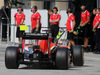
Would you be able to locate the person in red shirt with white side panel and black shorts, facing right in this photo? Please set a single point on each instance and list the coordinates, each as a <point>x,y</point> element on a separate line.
<point>70,28</point>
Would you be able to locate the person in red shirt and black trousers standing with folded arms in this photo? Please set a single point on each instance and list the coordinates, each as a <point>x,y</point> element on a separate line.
<point>54,20</point>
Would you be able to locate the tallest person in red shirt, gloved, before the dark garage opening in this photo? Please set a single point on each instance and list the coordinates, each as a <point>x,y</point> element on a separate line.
<point>85,24</point>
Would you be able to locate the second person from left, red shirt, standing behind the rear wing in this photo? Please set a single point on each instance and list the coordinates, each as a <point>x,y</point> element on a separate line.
<point>35,20</point>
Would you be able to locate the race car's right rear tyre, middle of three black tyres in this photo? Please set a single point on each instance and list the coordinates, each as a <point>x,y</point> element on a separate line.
<point>62,58</point>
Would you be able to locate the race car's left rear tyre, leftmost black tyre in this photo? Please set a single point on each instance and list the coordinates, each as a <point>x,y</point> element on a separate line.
<point>11,58</point>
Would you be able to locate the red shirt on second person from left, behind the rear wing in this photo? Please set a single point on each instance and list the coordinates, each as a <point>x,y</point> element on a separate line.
<point>34,18</point>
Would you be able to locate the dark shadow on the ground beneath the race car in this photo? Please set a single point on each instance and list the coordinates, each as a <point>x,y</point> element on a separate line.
<point>50,67</point>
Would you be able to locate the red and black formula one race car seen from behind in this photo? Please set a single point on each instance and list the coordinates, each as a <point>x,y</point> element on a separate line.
<point>44,51</point>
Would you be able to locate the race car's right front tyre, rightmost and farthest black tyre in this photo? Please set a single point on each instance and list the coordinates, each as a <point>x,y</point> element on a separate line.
<point>77,55</point>
